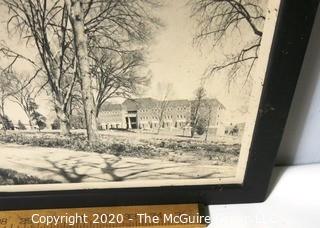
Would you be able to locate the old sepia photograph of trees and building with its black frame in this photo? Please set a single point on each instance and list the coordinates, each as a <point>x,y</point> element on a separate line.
<point>145,102</point>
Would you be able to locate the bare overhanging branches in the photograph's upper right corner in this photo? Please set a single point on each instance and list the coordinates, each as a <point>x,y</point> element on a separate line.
<point>218,19</point>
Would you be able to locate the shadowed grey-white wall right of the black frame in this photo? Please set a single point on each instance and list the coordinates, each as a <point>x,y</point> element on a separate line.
<point>300,143</point>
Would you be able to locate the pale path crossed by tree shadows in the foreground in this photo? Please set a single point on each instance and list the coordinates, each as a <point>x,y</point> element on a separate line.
<point>74,166</point>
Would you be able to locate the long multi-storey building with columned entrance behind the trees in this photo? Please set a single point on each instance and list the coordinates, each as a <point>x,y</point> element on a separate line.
<point>152,114</point>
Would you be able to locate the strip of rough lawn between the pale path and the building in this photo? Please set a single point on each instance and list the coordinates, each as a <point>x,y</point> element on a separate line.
<point>132,144</point>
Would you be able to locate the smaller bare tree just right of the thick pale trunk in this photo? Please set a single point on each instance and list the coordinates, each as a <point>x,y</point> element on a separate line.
<point>117,76</point>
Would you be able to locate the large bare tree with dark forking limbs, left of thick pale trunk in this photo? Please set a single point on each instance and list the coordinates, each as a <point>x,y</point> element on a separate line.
<point>44,24</point>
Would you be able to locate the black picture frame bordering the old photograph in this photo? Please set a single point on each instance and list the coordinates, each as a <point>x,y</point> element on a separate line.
<point>292,33</point>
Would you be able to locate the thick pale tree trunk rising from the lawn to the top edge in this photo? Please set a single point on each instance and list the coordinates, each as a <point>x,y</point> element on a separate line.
<point>81,49</point>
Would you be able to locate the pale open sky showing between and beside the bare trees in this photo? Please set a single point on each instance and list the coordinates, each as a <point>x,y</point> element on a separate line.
<point>173,59</point>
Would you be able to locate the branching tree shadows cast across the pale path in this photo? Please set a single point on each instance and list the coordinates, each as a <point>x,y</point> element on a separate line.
<point>116,169</point>
